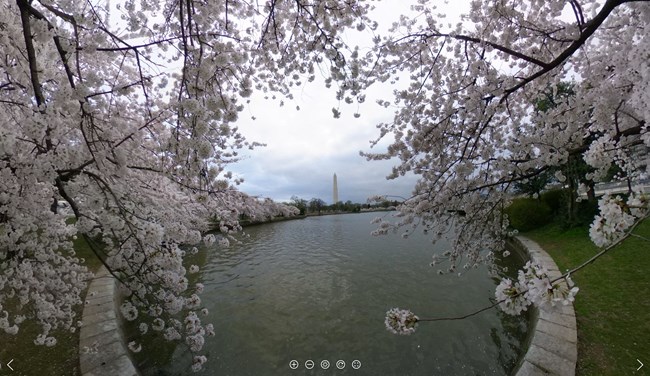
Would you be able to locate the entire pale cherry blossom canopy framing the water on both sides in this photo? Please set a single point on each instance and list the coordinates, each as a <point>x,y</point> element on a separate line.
<point>128,112</point>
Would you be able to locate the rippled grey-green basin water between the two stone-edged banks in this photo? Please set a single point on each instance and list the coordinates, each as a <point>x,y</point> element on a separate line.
<point>318,289</point>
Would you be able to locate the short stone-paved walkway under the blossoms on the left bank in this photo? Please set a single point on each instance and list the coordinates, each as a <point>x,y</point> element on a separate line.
<point>101,331</point>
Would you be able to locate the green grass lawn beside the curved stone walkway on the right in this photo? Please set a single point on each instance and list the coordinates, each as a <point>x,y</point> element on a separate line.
<point>613,305</point>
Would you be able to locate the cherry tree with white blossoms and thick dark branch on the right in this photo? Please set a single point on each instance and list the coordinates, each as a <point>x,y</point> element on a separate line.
<point>465,119</point>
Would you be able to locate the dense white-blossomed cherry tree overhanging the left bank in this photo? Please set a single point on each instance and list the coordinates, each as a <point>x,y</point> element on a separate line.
<point>127,111</point>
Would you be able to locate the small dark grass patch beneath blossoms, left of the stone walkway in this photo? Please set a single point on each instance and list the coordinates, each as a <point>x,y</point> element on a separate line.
<point>61,359</point>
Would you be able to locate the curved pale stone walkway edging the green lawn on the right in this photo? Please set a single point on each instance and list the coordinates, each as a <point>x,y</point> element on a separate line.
<point>554,345</point>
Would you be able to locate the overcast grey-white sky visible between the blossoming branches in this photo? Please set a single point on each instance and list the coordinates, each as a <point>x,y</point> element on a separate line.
<point>306,148</point>
